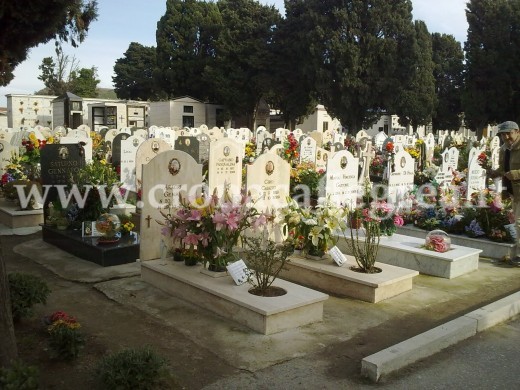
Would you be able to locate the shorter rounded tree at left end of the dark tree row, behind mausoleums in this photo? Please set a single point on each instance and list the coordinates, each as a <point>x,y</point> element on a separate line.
<point>134,73</point>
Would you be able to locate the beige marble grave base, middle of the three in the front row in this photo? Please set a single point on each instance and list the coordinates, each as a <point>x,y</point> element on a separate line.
<point>325,275</point>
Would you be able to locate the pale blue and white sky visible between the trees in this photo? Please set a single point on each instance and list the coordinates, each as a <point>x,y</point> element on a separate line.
<point>121,22</point>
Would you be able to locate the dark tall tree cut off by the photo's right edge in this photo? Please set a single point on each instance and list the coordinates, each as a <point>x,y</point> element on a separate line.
<point>492,83</point>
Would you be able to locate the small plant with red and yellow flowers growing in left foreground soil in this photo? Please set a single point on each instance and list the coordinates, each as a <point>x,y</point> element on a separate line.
<point>66,339</point>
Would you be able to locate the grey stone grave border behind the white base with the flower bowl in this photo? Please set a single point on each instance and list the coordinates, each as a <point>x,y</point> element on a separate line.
<point>490,249</point>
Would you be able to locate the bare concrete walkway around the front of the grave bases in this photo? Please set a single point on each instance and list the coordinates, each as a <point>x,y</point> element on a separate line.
<point>322,355</point>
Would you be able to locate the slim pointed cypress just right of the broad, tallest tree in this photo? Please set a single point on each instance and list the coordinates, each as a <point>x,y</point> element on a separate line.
<point>416,97</point>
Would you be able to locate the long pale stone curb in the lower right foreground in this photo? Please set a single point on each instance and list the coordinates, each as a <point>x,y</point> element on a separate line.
<point>430,342</point>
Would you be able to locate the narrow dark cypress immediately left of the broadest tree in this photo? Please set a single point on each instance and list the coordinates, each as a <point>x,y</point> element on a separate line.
<point>292,90</point>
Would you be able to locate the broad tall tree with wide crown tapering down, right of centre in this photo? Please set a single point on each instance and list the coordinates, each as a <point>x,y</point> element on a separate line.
<point>359,55</point>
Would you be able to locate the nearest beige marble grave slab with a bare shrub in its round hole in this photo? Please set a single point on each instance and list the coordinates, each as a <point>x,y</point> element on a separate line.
<point>267,315</point>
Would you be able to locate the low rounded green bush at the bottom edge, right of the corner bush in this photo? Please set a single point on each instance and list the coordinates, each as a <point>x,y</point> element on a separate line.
<point>139,368</point>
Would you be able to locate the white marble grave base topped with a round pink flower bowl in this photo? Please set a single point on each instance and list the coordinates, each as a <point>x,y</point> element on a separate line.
<point>405,251</point>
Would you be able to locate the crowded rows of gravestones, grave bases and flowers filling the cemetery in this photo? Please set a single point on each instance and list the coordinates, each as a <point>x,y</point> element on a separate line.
<point>360,214</point>
